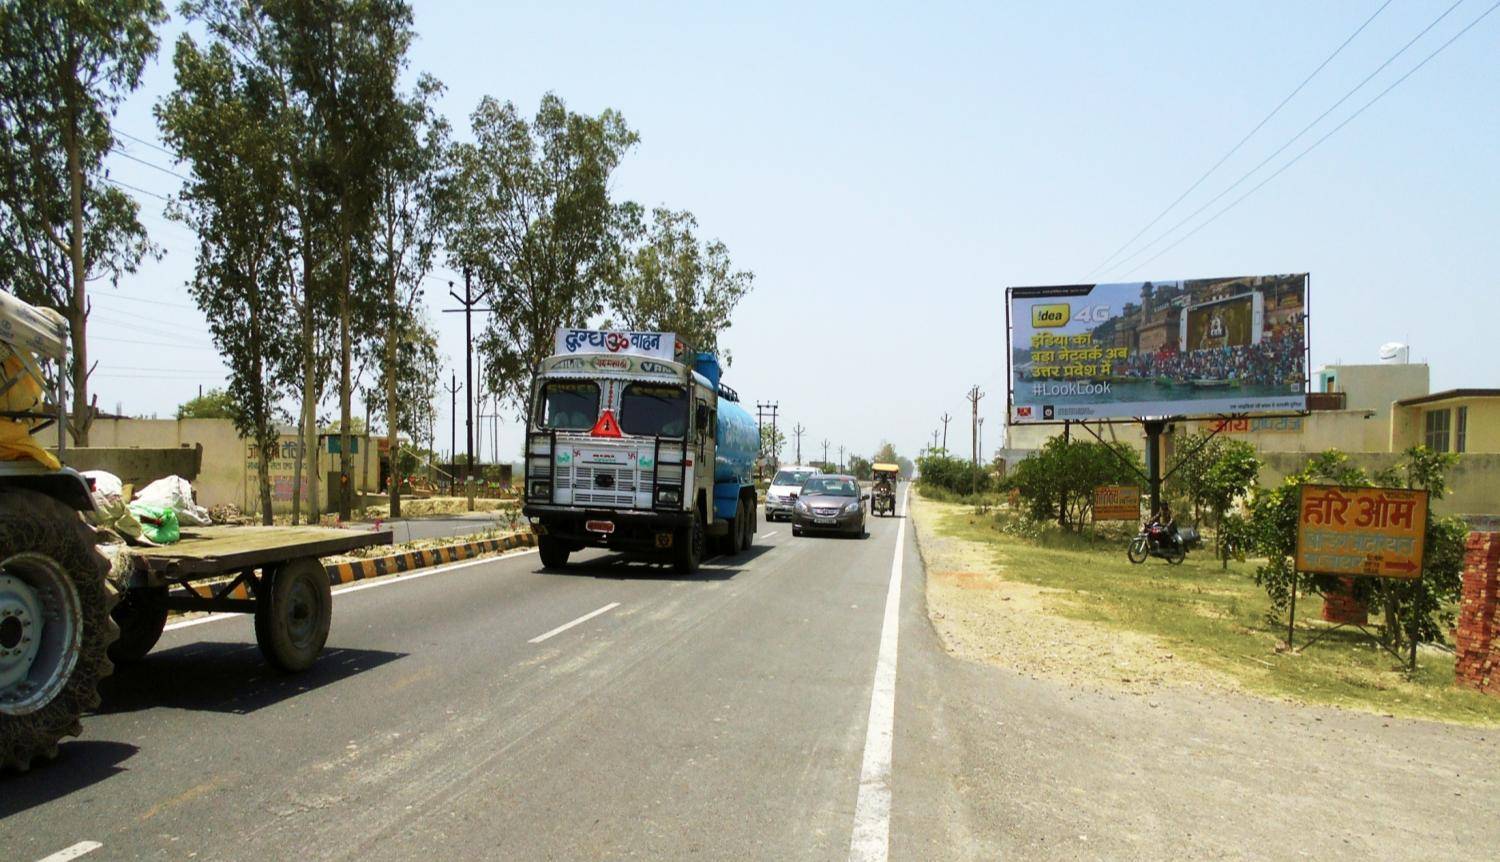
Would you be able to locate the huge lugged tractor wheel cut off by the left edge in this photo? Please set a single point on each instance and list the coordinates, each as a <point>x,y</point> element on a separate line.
<point>55,626</point>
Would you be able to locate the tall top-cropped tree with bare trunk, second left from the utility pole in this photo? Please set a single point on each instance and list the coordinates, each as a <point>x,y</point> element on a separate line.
<point>346,56</point>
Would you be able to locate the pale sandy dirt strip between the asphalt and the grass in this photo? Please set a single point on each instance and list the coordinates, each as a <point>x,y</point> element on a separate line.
<point>983,617</point>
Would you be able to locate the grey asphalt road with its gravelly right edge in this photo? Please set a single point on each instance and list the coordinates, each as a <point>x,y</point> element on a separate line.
<point>769,708</point>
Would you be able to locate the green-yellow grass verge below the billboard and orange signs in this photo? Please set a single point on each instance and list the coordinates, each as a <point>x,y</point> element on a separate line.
<point>1216,618</point>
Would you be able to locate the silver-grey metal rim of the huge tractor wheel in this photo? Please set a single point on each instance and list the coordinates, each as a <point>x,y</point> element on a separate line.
<point>40,633</point>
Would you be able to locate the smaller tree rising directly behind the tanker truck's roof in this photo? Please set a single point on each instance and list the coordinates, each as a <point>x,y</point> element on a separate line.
<point>671,283</point>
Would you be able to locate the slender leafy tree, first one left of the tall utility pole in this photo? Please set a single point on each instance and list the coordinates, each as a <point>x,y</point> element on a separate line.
<point>406,242</point>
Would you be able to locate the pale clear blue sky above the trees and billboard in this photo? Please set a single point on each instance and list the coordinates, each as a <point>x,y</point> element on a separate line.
<point>887,173</point>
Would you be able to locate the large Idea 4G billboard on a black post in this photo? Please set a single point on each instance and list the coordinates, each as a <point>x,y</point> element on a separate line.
<point>1198,347</point>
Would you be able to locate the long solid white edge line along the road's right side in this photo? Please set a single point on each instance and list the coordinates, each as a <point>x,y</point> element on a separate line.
<point>872,812</point>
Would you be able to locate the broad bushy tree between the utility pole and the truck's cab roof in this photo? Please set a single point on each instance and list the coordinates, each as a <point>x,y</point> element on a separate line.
<point>529,214</point>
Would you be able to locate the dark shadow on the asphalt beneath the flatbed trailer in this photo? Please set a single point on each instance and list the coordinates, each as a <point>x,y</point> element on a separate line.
<point>226,678</point>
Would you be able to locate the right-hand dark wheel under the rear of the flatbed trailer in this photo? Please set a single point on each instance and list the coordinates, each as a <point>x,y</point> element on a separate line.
<point>293,614</point>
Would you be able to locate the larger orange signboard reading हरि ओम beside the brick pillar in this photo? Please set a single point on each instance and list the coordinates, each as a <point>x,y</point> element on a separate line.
<point>1373,531</point>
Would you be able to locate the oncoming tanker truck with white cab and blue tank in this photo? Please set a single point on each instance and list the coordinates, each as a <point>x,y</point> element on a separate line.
<point>635,444</point>
